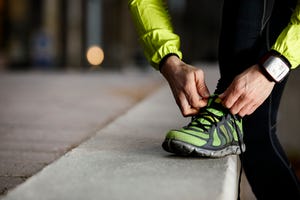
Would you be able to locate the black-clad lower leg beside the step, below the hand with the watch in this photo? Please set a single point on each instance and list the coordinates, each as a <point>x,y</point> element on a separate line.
<point>265,163</point>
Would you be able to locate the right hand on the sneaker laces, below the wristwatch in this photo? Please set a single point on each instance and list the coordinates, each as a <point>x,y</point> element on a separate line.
<point>247,92</point>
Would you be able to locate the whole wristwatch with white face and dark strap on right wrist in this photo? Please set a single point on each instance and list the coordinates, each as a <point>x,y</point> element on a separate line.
<point>275,66</point>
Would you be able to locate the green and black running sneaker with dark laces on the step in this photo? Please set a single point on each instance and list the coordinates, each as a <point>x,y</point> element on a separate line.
<point>214,132</point>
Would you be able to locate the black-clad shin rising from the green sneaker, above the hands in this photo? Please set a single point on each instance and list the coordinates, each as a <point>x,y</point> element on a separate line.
<point>239,38</point>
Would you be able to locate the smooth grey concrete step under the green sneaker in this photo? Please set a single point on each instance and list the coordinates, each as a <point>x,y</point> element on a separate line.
<point>125,160</point>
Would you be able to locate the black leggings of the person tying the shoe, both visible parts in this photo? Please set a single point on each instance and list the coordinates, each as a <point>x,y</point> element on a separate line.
<point>249,27</point>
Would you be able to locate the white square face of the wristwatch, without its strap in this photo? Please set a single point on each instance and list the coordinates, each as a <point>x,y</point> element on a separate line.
<point>276,67</point>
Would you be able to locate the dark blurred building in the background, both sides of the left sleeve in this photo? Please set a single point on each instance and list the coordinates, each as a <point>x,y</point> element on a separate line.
<point>55,34</point>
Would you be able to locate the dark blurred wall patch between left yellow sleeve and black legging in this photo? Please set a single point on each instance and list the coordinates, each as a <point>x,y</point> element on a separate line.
<point>198,23</point>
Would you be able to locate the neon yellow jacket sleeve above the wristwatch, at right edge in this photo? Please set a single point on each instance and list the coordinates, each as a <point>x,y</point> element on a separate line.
<point>288,42</point>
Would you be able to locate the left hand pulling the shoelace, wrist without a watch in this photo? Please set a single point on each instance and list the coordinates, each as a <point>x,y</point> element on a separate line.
<point>187,84</point>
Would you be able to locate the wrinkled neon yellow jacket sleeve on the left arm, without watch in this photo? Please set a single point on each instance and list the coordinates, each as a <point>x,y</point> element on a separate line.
<point>155,30</point>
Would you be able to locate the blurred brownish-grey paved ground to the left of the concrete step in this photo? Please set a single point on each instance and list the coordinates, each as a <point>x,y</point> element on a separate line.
<point>44,115</point>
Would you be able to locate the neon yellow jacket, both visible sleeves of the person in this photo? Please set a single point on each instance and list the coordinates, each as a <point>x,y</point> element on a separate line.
<point>158,39</point>
